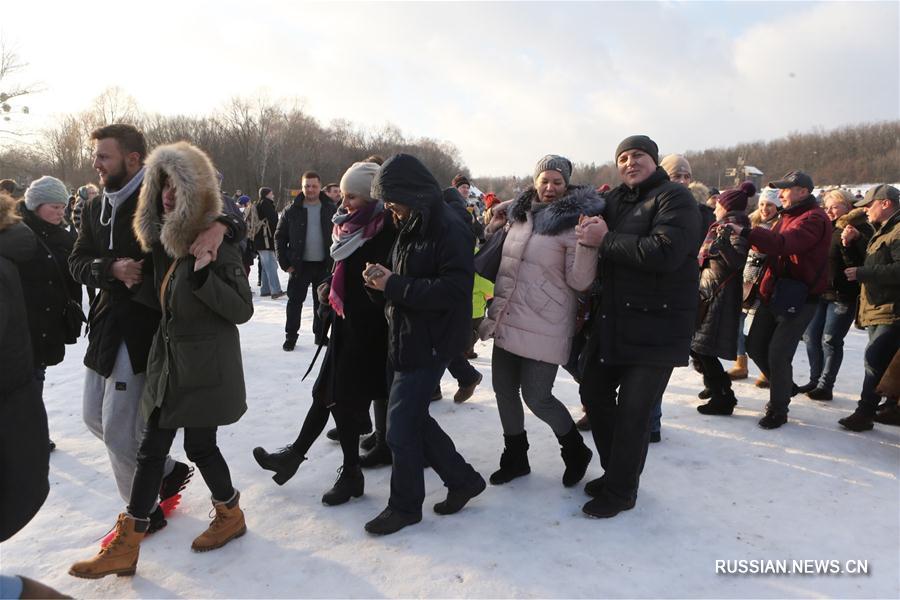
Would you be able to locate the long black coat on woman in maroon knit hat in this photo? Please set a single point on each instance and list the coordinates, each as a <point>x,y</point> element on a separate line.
<point>722,286</point>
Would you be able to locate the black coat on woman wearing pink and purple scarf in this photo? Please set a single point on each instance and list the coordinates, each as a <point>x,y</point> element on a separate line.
<point>353,370</point>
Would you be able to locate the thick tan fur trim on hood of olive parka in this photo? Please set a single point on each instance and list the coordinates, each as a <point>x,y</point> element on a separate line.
<point>197,199</point>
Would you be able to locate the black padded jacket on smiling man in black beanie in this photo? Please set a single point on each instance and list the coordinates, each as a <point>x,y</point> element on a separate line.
<point>649,276</point>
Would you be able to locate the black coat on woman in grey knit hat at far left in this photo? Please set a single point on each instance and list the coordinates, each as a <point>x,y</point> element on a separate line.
<point>47,284</point>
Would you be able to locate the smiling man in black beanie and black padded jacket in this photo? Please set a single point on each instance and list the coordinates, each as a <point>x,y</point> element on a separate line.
<point>642,328</point>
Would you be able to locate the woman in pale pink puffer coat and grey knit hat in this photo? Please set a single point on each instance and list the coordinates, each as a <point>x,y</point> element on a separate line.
<point>532,317</point>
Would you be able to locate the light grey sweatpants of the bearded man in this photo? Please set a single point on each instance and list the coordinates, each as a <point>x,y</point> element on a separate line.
<point>112,411</point>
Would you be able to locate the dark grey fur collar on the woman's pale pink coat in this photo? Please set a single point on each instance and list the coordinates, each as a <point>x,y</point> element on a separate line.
<point>562,214</point>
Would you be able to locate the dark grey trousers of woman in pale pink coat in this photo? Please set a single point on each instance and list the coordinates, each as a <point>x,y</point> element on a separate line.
<point>511,373</point>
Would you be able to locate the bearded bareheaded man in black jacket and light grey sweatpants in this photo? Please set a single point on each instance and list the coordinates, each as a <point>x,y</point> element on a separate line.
<point>122,323</point>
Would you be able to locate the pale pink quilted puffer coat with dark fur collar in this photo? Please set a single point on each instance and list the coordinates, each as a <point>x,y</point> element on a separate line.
<point>542,270</point>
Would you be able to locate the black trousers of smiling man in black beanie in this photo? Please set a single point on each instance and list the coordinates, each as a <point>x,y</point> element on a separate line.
<point>619,400</point>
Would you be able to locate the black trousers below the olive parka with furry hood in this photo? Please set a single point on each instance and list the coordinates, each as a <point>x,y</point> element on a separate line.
<point>200,447</point>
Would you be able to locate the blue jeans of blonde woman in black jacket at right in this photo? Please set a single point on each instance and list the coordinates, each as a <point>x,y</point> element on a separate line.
<point>824,338</point>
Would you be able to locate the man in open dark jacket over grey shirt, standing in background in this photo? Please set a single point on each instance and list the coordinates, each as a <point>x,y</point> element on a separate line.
<point>302,243</point>
